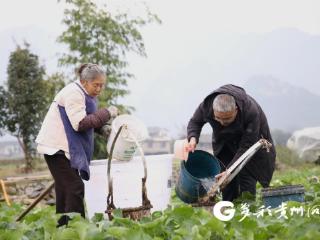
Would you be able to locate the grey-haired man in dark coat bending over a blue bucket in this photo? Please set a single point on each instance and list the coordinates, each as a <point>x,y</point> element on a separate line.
<point>238,122</point>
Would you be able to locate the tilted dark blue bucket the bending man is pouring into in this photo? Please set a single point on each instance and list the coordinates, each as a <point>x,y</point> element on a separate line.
<point>200,164</point>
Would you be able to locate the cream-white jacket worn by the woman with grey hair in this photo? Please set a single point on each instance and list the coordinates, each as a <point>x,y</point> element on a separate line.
<point>52,136</point>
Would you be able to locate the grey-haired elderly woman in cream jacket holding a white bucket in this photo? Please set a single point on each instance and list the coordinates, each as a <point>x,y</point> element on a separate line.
<point>66,137</point>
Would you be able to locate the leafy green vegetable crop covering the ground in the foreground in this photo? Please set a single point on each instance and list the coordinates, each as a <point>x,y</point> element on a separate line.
<point>180,221</point>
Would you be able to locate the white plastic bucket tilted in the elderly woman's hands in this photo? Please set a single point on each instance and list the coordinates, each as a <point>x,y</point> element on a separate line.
<point>125,146</point>
